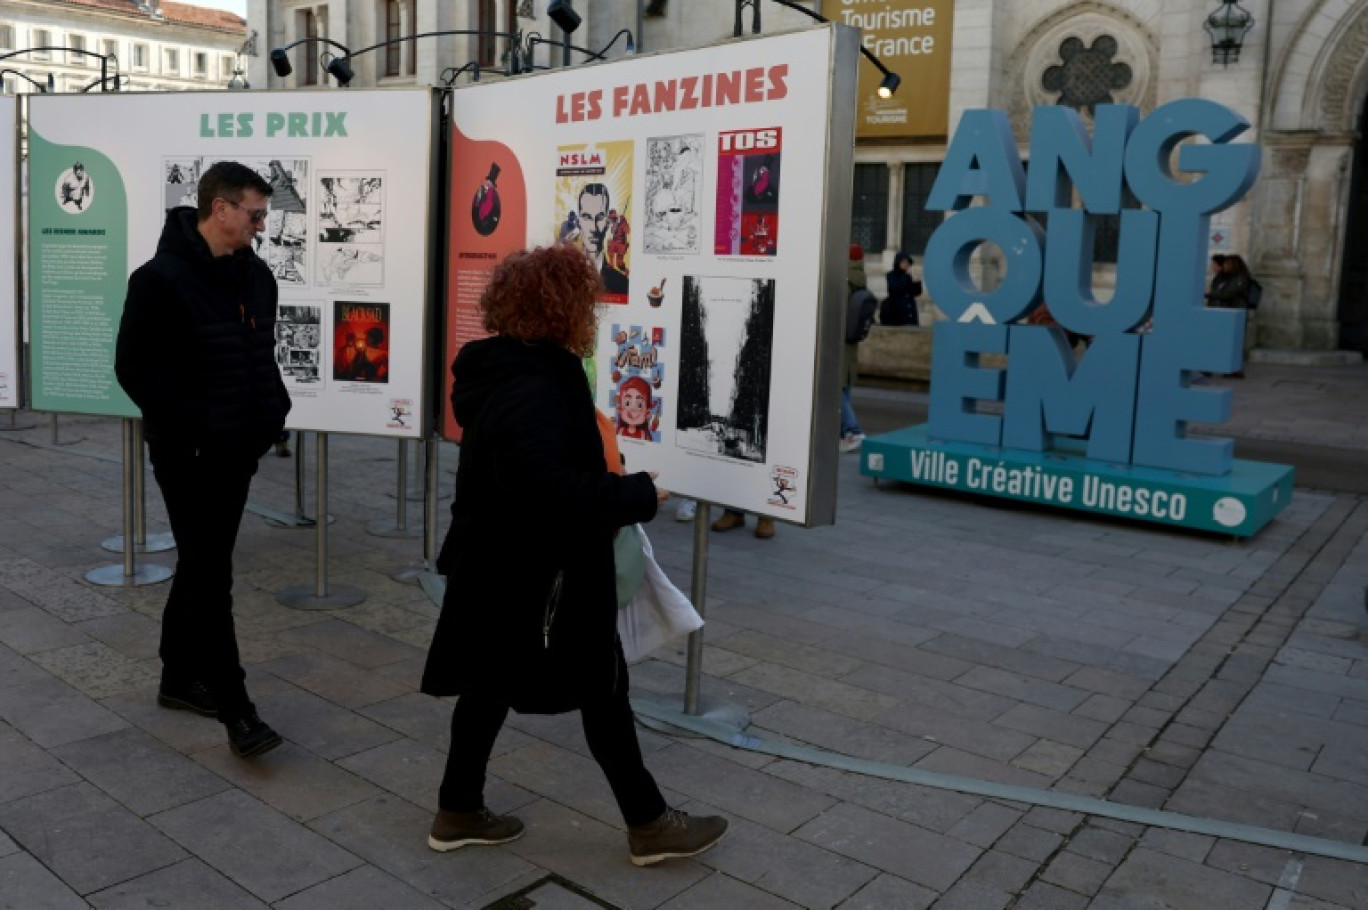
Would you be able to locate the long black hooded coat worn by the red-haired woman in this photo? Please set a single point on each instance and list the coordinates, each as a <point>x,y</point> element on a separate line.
<point>534,503</point>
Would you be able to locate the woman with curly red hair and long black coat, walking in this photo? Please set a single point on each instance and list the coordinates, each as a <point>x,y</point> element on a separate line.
<point>530,616</point>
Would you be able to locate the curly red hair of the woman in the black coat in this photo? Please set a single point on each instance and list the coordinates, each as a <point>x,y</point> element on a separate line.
<point>545,295</point>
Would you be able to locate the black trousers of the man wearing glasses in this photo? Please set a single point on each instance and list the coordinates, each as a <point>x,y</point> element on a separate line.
<point>206,495</point>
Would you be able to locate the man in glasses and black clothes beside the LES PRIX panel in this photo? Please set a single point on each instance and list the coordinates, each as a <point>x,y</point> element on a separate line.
<point>196,354</point>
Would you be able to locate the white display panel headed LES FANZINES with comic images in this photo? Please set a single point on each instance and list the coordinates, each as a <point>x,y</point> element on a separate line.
<point>700,184</point>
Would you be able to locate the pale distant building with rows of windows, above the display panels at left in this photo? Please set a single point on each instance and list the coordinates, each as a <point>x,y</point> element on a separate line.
<point>153,46</point>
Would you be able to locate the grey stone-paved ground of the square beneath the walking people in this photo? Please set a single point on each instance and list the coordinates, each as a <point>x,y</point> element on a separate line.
<point>1194,674</point>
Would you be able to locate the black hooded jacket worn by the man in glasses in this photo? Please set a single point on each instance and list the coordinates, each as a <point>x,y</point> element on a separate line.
<point>196,347</point>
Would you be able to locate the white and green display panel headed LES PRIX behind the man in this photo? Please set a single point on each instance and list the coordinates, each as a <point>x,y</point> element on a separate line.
<point>347,237</point>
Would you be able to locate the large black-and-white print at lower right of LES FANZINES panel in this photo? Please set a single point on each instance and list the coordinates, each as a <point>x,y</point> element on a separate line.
<point>727,339</point>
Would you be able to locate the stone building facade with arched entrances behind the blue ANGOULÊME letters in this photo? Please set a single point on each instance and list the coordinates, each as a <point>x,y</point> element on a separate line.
<point>1302,80</point>
